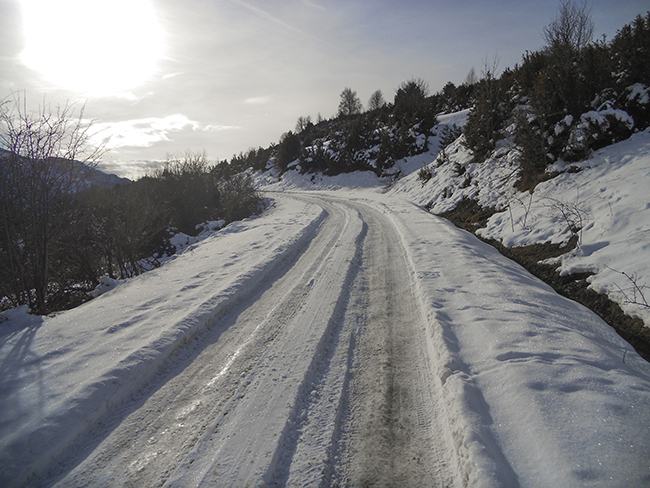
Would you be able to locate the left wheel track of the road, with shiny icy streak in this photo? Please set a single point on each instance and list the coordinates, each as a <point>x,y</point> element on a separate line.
<point>206,380</point>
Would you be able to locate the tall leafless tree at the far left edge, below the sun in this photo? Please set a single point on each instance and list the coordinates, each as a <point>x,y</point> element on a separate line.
<point>46,156</point>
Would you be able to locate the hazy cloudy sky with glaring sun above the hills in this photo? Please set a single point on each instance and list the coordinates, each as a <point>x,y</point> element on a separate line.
<point>165,76</point>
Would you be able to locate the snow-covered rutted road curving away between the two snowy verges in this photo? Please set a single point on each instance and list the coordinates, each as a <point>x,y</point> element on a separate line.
<point>319,376</point>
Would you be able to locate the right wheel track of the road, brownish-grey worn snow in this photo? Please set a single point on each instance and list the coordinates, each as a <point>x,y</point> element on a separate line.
<point>392,435</point>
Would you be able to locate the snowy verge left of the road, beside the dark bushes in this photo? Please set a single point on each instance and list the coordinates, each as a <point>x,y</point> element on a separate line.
<point>61,373</point>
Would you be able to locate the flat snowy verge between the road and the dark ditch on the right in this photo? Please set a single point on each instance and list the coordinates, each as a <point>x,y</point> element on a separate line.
<point>539,391</point>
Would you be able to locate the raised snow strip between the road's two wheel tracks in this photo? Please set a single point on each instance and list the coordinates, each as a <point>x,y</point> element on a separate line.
<point>261,427</point>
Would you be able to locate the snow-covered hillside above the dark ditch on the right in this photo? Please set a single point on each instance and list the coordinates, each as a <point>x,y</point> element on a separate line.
<point>603,200</point>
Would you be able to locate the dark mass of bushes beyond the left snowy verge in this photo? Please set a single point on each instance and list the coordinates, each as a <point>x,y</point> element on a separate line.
<point>121,231</point>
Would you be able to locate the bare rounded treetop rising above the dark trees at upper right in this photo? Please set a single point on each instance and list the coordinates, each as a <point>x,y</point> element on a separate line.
<point>572,28</point>
